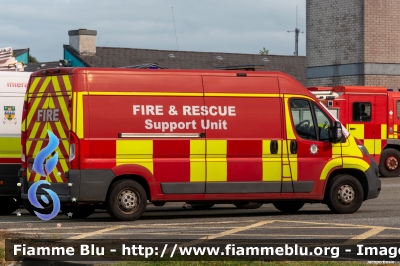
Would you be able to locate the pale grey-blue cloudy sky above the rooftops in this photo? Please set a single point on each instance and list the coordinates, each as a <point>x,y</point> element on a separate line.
<point>230,26</point>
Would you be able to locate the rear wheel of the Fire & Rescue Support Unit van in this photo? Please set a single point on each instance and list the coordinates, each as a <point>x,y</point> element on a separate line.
<point>126,200</point>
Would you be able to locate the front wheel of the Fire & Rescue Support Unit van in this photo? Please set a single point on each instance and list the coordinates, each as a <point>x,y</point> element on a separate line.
<point>344,194</point>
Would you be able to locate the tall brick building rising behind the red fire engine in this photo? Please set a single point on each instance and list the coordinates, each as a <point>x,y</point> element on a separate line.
<point>353,42</point>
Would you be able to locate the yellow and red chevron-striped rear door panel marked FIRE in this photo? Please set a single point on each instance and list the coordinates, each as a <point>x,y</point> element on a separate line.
<point>47,128</point>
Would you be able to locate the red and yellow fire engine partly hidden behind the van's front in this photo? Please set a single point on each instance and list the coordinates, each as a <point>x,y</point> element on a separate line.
<point>372,115</point>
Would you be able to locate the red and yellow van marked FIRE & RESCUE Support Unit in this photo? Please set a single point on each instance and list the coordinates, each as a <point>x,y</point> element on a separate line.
<point>121,137</point>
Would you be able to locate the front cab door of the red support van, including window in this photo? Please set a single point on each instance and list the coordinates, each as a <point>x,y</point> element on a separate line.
<point>309,144</point>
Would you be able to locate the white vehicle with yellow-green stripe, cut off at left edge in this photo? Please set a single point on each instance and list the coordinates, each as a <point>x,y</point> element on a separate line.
<point>12,91</point>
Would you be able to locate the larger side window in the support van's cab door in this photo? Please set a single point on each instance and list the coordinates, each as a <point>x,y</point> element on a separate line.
<point>303,119</point>
